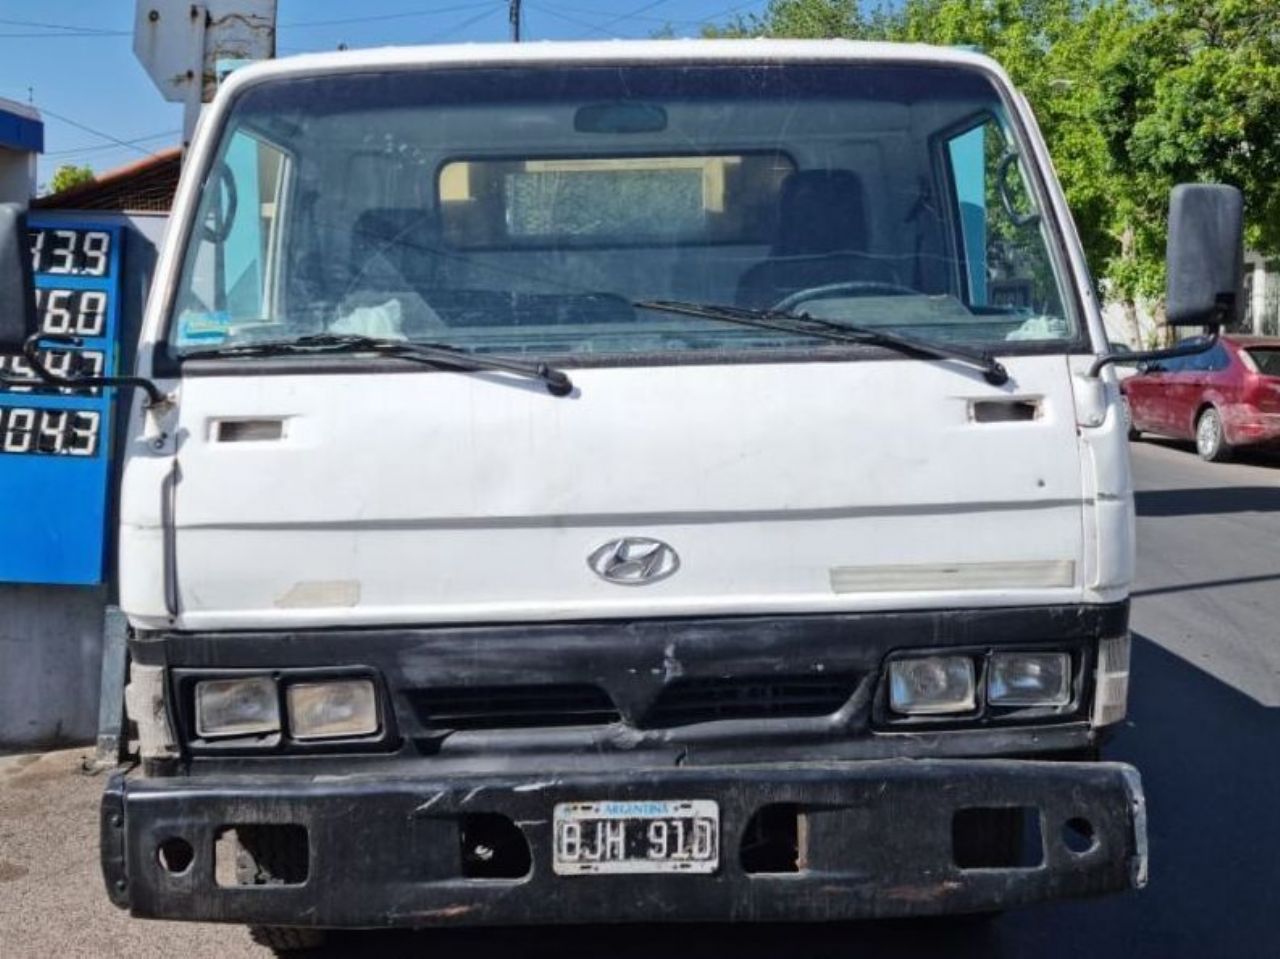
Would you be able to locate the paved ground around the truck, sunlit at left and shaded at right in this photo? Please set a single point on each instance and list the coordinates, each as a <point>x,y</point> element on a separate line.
<point>1204,729</point>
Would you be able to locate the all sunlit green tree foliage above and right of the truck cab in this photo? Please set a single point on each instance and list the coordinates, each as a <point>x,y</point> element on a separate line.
<point>1133,97</point>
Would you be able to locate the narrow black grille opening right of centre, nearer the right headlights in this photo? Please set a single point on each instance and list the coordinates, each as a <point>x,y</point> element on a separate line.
<point>689,701</point>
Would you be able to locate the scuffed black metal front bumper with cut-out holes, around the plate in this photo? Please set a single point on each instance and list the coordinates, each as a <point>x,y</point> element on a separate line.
<point>875,841</point>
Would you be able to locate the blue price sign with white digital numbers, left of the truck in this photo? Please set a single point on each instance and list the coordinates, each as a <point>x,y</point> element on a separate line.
<point>56,445</point>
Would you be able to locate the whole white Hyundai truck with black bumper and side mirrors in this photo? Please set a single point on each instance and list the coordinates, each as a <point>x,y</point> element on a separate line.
<point>634,481</point>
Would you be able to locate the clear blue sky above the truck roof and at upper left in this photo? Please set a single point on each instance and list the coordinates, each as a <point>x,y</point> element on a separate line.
<point>74,60</point>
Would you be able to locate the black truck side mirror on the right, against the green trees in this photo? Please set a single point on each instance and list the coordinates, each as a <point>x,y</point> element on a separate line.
<point>1205,257</point>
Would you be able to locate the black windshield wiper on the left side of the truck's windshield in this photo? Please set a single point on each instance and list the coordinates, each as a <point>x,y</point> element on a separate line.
<point>435,354</point>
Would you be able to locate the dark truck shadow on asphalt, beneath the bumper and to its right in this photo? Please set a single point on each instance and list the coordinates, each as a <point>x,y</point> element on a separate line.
<point>1210,760</point>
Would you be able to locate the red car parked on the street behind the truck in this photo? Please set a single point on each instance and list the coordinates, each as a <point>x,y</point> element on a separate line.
<point>1223,399</point>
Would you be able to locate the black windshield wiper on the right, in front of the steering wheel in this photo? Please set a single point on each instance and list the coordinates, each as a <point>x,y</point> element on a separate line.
<point>803,325</point>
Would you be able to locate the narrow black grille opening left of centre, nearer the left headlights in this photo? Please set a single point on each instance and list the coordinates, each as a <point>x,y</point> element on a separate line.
<point>513,707</point>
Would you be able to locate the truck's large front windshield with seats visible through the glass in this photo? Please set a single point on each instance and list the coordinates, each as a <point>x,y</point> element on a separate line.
<point>529,211</point>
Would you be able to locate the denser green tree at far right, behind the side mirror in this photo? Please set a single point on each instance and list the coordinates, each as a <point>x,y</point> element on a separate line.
<point>1194,98</point>
